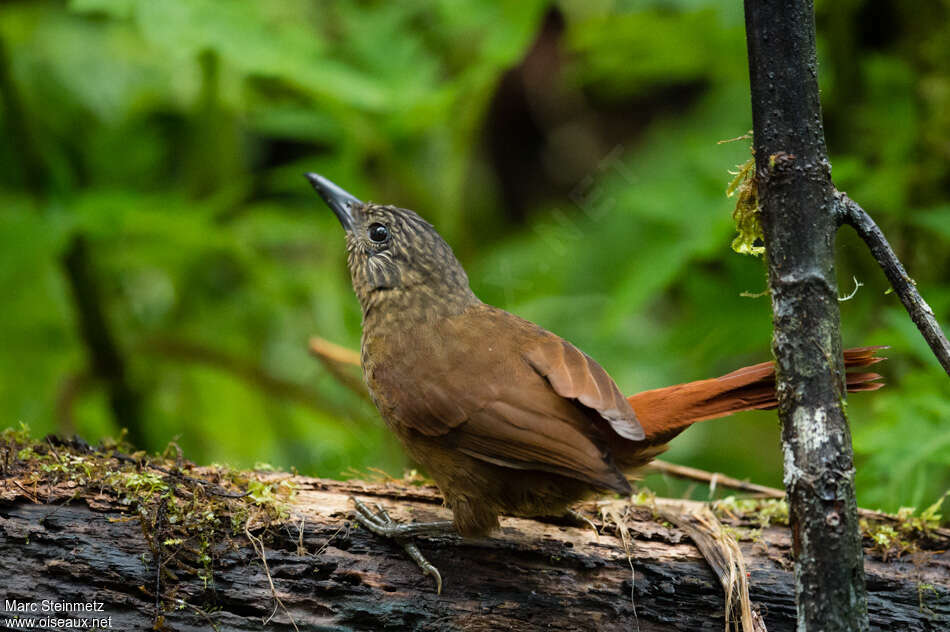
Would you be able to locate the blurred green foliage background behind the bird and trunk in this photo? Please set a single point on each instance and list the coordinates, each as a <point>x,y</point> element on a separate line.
<point>163,262</point>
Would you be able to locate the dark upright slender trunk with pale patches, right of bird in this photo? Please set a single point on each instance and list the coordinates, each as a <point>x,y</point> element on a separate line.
<point>798,212</point>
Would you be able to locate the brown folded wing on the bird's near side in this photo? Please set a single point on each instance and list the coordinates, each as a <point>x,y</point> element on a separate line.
<point>529,400</point>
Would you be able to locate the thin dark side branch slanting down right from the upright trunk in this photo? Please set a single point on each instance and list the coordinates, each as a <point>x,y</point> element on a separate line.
<point>920,312</point>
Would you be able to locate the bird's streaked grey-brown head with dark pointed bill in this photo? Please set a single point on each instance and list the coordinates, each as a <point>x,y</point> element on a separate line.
<point>394,255</point>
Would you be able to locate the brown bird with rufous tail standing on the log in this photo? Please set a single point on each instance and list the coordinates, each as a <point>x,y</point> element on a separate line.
<point>506,417</point>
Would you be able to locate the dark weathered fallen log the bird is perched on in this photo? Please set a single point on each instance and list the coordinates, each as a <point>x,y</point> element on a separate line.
<point>72,543</point>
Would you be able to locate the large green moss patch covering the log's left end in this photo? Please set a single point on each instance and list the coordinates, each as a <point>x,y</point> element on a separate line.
<point>188,515</point>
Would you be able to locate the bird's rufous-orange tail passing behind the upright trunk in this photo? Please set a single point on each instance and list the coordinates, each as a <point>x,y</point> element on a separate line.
<point>665,412</point>
